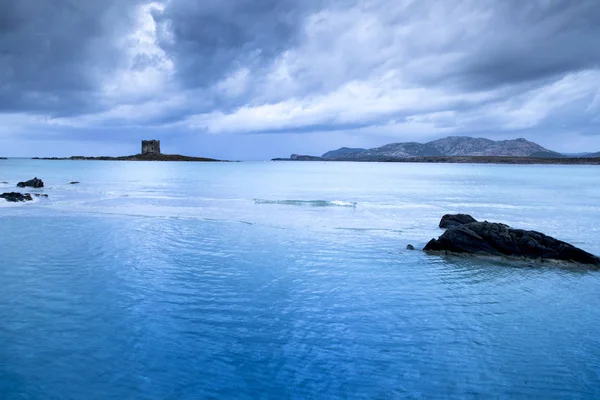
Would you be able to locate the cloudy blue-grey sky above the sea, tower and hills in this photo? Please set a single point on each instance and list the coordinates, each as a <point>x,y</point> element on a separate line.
<point>255,79</point>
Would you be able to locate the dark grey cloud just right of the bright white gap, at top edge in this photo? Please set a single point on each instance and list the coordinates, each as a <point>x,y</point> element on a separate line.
<point>210,38</point>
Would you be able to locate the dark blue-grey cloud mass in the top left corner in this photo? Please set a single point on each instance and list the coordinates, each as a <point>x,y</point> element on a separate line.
<point>53,52</point>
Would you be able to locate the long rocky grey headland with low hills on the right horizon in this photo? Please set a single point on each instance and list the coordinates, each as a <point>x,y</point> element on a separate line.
<point>454,149</point>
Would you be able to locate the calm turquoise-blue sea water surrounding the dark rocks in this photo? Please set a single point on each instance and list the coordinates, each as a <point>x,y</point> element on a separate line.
<point>290,281</point>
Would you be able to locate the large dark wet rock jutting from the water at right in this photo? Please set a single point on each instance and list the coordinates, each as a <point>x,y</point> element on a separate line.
<point>494,239</point>
